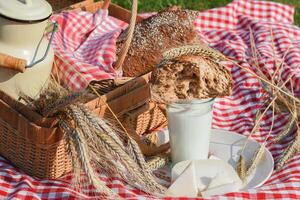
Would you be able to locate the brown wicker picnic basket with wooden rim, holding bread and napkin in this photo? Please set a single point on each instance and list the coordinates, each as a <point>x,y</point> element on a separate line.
<point>36,144</point>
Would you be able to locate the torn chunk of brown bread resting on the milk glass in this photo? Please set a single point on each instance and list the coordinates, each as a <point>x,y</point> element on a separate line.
<point>190,77</point>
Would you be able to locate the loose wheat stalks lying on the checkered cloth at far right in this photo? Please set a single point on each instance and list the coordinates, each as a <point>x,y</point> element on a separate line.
<point>285,99</point>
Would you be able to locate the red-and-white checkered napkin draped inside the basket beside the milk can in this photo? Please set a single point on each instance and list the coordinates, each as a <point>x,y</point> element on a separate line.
<point>85,46</point>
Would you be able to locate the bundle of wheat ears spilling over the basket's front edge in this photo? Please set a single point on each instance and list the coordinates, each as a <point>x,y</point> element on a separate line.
<point>95,144</point>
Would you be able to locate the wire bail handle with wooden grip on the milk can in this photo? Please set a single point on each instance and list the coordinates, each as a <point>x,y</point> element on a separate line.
<point>19,64</point>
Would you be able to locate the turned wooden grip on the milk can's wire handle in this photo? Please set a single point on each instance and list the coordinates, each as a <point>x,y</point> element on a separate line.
<point>13,63</point>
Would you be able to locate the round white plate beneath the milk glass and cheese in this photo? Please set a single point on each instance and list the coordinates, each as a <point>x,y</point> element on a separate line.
<point>227,145</point>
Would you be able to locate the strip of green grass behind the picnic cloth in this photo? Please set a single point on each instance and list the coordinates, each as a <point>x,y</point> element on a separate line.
<point>155,5</point>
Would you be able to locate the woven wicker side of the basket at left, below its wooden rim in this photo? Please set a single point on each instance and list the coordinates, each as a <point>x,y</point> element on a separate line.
<point>42,161</point>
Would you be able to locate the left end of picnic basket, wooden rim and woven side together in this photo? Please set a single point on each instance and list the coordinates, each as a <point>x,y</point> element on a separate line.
<point>38,151</point>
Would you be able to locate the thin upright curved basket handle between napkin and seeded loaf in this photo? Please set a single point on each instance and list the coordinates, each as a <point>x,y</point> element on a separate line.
<point>125,48</point>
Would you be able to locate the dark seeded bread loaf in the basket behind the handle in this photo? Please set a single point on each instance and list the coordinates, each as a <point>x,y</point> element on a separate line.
<point>167,29</point>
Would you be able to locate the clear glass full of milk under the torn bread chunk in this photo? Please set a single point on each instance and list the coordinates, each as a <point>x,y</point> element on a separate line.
<point>189,126</point>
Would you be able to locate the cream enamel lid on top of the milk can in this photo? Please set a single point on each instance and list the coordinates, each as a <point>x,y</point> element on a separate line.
<point>25,10</point>
